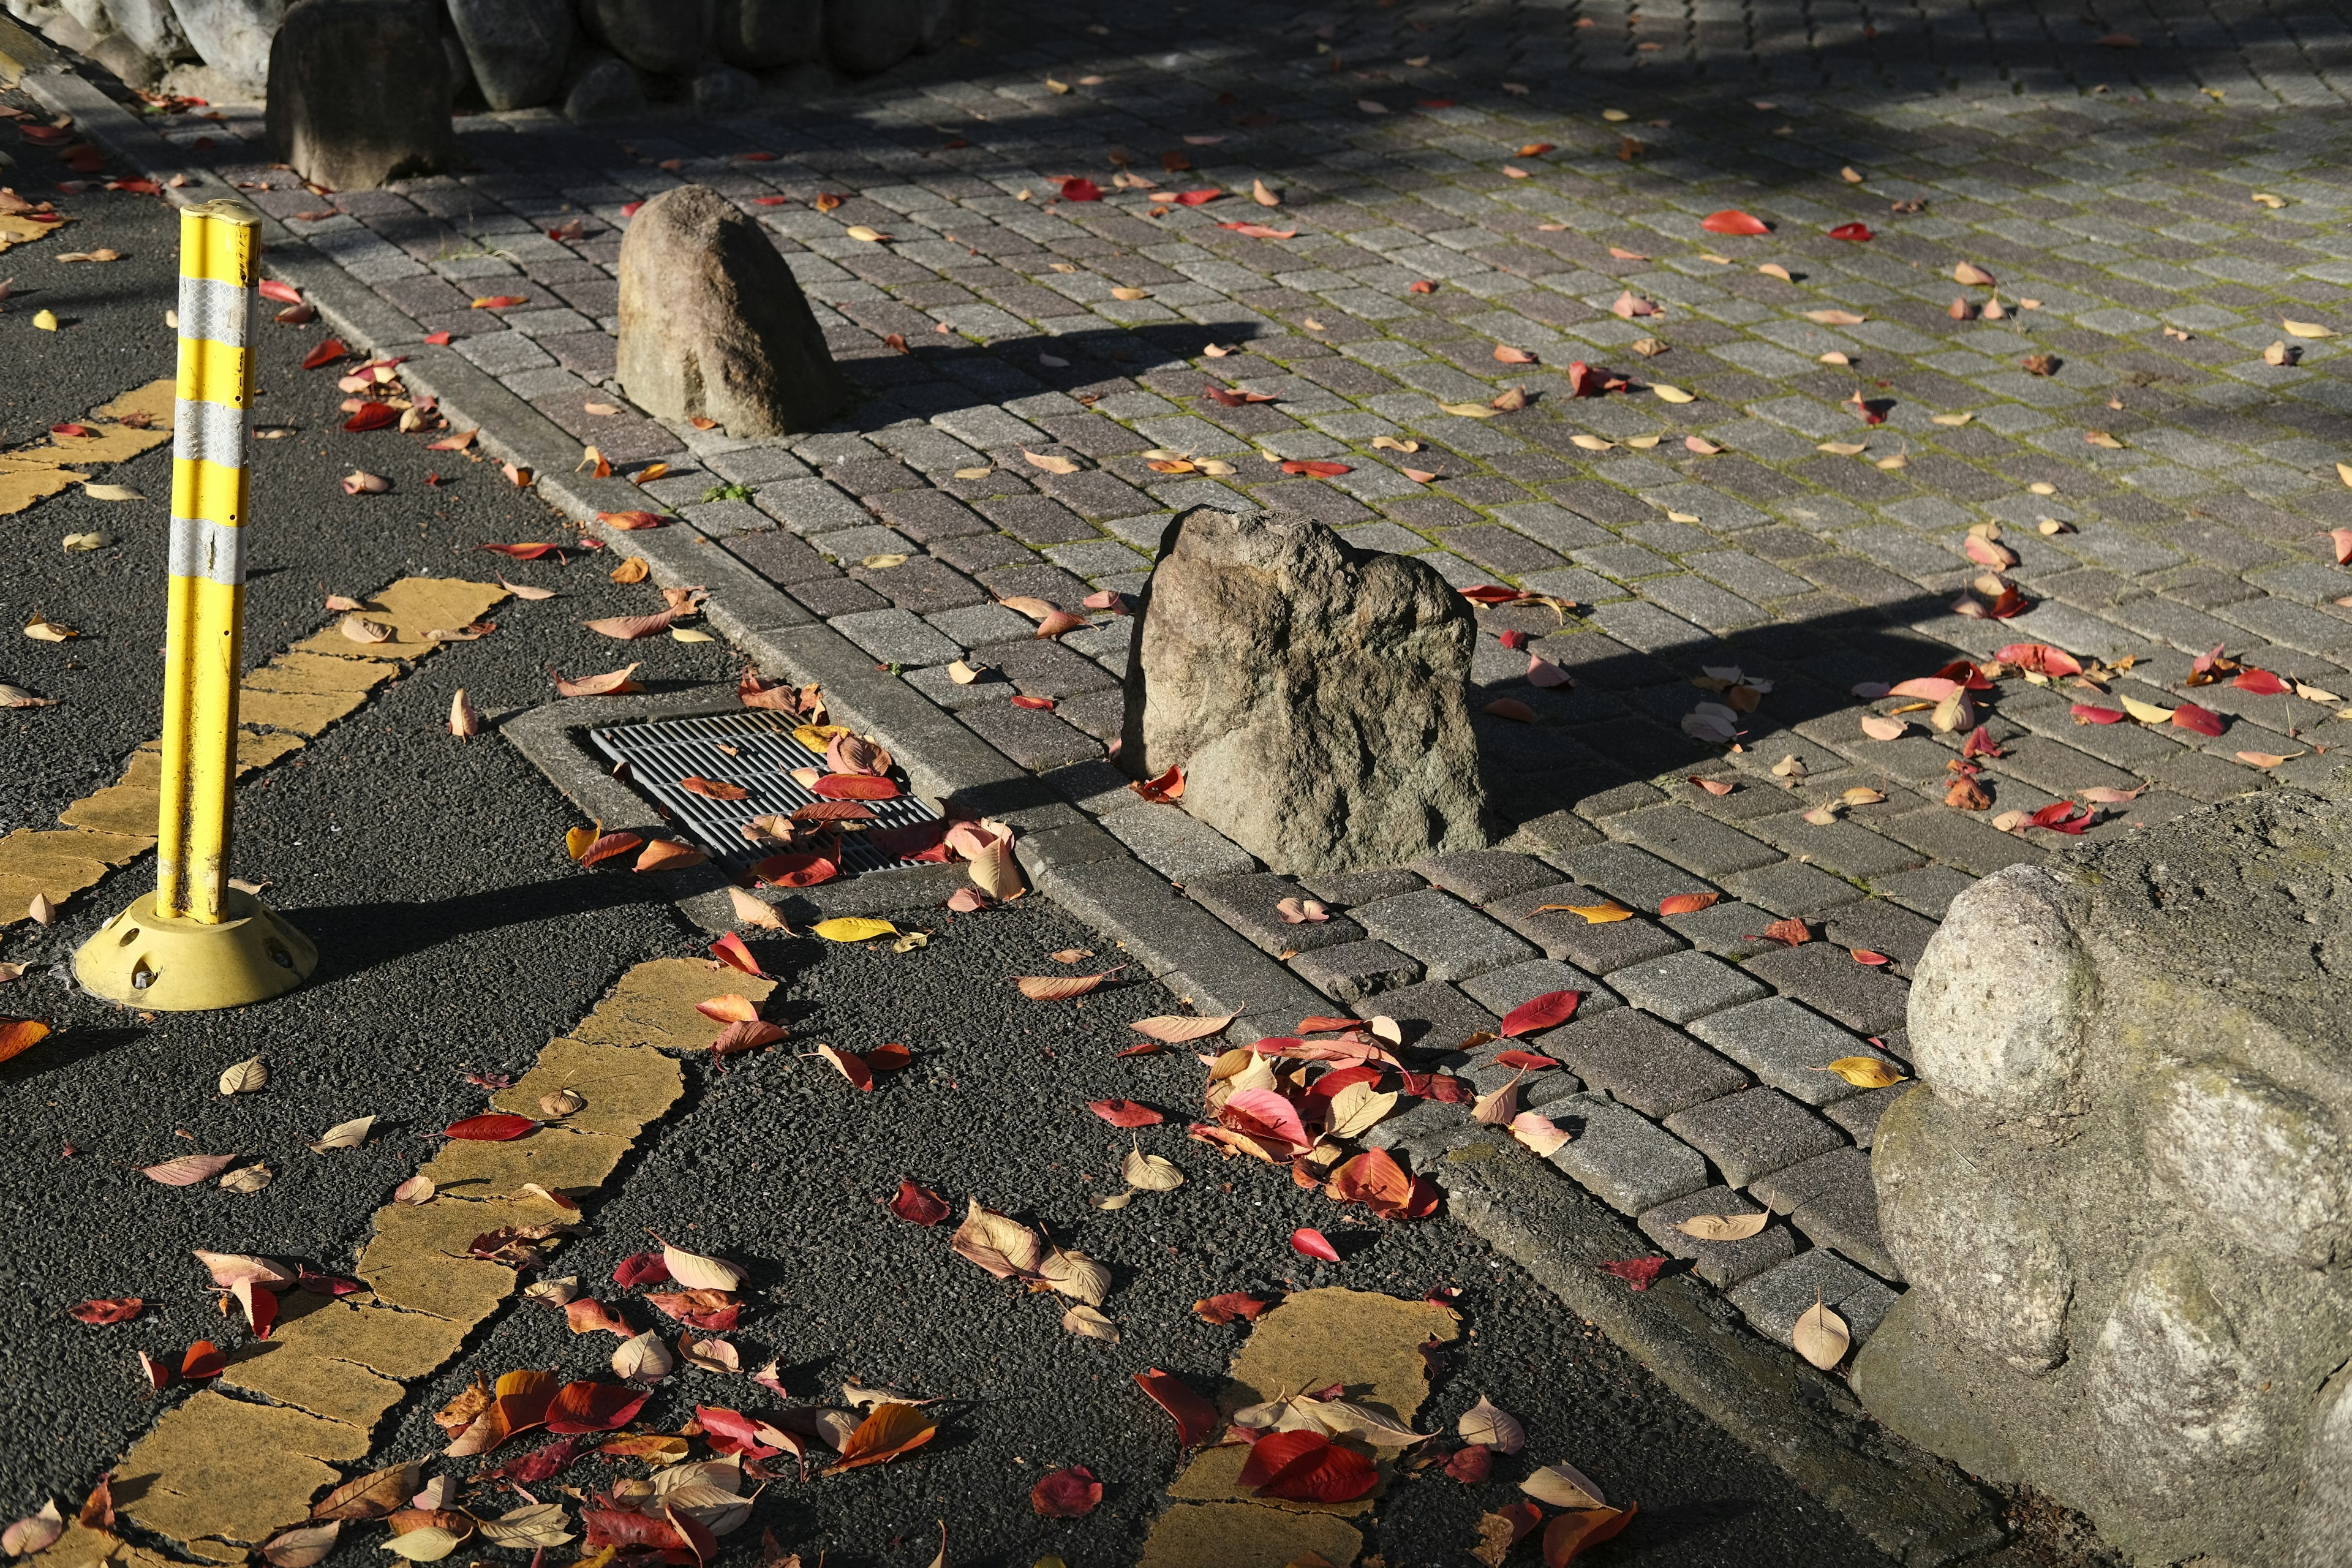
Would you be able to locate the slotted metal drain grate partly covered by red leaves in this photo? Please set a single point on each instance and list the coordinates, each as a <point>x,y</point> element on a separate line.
<point>766,753</point>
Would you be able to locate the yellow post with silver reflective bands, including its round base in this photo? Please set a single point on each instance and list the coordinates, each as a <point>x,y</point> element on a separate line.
<point>201,944</point>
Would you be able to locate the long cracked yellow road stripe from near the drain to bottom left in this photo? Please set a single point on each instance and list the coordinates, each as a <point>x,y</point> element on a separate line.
<point>222,1473</point>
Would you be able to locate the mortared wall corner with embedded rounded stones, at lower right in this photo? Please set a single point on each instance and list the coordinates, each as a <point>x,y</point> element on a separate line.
<point>2125,1198</point>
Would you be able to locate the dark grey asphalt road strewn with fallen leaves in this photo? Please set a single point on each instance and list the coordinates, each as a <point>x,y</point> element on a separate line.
<point>457,939</point>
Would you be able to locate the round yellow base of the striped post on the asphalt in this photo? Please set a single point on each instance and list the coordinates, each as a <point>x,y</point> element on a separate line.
<point>189,967</point>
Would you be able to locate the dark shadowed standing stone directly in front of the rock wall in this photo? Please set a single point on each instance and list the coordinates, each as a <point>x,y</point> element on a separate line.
<point>356,130</point>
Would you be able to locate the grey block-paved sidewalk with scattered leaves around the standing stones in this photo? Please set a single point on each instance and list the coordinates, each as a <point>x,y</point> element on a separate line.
<point>2146,185</point>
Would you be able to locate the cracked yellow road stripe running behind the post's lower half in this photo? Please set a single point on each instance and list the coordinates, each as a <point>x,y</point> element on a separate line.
<point>295,697</point>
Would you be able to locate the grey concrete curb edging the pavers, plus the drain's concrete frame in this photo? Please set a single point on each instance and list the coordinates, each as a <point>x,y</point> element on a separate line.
<point>1909,1503</point>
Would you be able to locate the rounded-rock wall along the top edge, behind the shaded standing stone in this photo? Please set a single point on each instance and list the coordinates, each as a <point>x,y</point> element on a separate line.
<point>584,58</point>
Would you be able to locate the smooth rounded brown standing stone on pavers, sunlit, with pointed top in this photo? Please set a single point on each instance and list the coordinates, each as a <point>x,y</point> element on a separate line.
<point>714,323</point>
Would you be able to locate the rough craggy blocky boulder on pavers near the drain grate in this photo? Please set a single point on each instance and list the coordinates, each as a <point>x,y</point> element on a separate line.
<point>1316,695</point>
